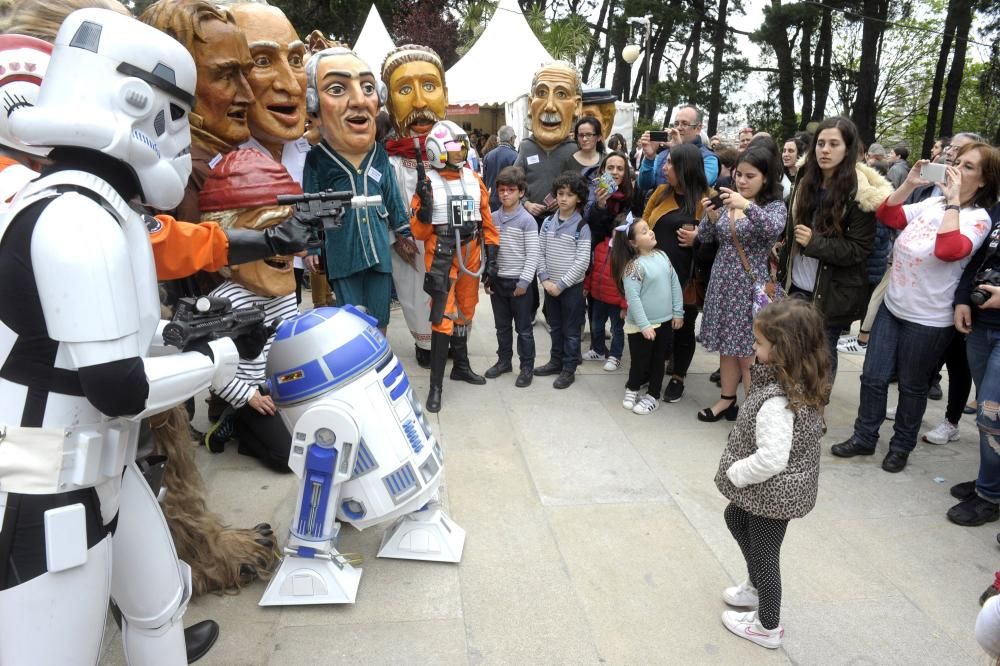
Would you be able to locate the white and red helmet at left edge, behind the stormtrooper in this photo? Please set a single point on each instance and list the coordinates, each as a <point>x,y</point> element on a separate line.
<point>23,61</point>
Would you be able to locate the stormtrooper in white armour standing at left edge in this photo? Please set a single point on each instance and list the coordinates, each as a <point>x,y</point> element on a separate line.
<point>79,315</point>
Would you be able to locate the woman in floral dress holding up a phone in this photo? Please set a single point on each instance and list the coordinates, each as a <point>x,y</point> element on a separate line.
<point>751,218</point>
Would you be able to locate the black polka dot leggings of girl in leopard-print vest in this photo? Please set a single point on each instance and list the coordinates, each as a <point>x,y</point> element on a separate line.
<point>760,540</point>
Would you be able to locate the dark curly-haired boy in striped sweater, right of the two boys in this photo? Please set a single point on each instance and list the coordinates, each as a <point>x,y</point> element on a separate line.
<point>564,242</point>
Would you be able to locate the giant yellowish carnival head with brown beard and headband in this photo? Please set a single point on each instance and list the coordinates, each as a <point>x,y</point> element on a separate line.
<point>418,96</point>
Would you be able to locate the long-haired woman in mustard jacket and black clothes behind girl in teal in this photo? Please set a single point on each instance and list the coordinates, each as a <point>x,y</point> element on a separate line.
<point>672,213</point>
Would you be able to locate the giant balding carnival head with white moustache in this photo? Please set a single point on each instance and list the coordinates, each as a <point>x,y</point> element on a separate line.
<point>554,102</point>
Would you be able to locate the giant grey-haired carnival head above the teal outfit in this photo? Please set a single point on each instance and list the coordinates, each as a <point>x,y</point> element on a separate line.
<point>343,99</point>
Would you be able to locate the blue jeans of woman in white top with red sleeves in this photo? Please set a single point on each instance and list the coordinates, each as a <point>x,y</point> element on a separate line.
<point>911,351</point>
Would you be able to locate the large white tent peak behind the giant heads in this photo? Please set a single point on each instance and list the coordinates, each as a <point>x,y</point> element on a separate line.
<point>499,66</point>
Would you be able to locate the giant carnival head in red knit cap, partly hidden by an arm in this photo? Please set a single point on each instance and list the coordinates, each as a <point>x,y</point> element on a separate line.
<point>241,192</point>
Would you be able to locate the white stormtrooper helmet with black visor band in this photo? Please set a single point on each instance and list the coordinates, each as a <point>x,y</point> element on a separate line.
<point>121,87</point>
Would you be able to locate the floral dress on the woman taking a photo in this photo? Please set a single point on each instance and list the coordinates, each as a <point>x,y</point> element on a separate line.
<point>727,318</point>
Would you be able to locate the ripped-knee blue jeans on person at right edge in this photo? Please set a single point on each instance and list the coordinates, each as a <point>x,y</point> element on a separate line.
<point>983,349</point>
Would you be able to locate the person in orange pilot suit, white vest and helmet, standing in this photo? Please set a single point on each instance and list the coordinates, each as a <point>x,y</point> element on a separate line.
<point>451,214</point>
